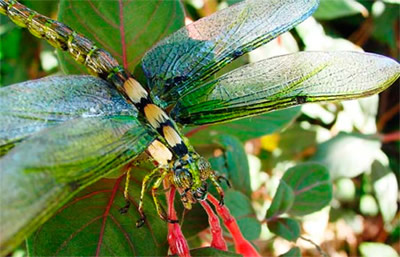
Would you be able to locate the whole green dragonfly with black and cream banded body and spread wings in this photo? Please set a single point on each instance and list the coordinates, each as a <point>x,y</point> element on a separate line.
<point>60,134</point>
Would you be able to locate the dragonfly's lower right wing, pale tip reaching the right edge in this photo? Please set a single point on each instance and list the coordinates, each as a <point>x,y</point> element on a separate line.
<point>286,81</point>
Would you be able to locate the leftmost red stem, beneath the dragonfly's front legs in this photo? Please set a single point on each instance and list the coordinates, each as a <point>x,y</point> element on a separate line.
<point>177,242</point>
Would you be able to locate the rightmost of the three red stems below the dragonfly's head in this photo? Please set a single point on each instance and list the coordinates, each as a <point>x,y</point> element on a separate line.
<point>242,246</point>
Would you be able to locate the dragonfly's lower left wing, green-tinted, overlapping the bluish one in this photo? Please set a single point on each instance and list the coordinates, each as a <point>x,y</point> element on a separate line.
<point>65,159</point>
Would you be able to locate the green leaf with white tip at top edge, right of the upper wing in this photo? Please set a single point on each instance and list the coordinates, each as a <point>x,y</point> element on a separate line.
<point>333,9</point>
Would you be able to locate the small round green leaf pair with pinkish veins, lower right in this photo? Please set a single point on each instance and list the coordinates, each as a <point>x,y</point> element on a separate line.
<point>303,189</point>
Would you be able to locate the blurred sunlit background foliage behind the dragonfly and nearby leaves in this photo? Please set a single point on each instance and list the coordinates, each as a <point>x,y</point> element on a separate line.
<point>358,141</point>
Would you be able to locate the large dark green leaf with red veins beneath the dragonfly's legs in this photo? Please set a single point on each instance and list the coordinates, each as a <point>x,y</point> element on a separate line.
<point>91,224</point>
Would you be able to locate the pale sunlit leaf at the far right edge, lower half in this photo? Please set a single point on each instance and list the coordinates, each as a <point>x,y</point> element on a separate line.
<point>386,190</point>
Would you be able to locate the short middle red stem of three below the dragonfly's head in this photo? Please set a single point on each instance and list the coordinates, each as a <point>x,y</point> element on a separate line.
<point>217,241</point>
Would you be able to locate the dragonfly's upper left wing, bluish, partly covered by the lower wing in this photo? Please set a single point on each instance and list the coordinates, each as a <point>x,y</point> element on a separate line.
<point>31,106</point>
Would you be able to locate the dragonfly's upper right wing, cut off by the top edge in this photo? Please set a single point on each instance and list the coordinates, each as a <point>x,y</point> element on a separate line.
<point>188,57</point>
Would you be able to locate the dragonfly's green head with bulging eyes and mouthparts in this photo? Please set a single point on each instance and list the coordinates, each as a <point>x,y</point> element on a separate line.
<point>190,175</point>
